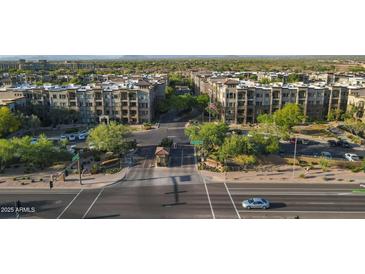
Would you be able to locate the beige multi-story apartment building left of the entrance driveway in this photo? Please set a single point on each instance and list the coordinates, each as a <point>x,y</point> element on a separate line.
<point>131,103</point>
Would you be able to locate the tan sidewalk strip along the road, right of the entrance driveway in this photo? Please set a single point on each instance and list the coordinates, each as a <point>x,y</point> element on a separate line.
<point>284,174</point>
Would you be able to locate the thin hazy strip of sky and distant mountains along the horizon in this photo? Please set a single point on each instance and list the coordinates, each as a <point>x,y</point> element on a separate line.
<point>157,57</point>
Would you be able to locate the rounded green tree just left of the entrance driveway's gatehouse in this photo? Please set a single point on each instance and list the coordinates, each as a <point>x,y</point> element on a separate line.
<point>109,138</point>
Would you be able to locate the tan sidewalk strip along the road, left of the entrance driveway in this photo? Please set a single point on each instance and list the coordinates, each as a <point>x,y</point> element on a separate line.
<point>72,182</point>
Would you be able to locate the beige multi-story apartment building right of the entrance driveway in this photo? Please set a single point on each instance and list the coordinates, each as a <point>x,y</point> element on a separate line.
<point>243,101</point>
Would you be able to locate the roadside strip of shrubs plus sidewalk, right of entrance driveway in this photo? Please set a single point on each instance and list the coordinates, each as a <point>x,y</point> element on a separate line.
<point>274,169</point>
